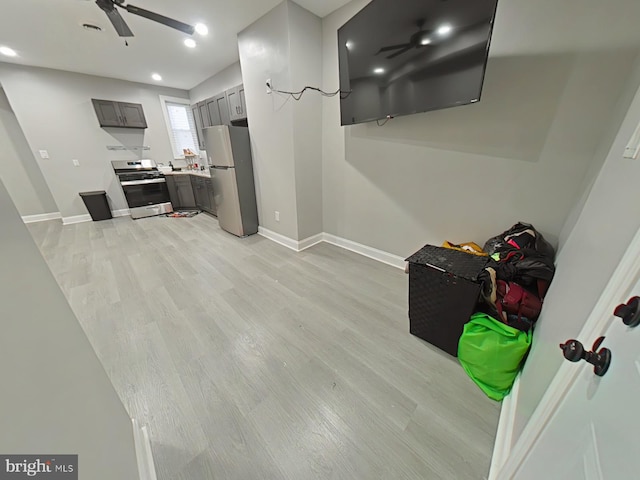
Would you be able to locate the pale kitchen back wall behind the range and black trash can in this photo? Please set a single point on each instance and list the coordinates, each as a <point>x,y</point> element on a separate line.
<point>55,112</point>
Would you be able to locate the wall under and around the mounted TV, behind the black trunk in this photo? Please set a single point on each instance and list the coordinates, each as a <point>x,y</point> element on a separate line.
<point>468,173</point>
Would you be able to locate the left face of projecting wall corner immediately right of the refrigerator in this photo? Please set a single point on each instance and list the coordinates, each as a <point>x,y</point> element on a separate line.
<point>265,53</point>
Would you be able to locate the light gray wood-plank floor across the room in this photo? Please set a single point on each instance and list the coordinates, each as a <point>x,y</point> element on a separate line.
<point>249,361</point>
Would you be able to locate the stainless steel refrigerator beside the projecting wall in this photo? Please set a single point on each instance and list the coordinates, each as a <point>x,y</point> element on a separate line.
<point>231,167</point>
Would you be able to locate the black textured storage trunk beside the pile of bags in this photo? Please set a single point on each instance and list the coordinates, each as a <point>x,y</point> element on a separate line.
<point>443,294</point>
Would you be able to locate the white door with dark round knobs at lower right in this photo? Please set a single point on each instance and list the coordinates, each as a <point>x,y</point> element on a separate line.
<point>593,428</point>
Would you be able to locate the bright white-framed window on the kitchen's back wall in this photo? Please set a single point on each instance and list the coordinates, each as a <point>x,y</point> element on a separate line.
<point>180,125</point>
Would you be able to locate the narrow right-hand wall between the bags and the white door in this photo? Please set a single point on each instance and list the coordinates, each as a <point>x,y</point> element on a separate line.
<point>609,220</point>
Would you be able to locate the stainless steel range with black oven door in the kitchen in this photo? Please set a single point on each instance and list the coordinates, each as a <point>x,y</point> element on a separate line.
<point>145,188</point>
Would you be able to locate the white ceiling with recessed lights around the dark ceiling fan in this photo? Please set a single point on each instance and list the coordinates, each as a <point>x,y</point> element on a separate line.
<point>48,33</point>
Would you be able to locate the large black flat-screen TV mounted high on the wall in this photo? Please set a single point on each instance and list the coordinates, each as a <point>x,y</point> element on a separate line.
<point>399,57</point>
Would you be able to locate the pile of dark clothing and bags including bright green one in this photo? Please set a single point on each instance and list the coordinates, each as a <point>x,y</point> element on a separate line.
<point>496,340</point>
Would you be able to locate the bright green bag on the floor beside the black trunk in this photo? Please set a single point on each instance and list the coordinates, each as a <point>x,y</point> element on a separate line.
<point>492,353</point>
